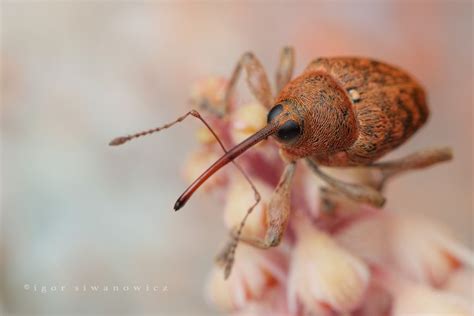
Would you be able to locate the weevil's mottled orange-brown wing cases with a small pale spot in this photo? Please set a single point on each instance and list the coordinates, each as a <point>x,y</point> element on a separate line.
<point>389,105</point>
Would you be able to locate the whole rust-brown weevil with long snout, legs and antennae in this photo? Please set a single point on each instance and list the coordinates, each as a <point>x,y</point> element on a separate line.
<point>340,112</point>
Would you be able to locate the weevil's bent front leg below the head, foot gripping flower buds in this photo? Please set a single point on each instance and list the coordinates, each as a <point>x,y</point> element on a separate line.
<point>277,215</point>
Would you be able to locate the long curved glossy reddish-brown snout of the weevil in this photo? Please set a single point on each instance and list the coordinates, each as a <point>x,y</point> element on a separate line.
<point>224,160</point>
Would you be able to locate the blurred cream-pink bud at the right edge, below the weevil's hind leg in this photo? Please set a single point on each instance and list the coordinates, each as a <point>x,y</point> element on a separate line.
<point>409,244</point>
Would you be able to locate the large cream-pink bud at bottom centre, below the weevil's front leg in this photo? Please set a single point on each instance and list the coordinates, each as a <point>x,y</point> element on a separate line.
<point>325,274</point>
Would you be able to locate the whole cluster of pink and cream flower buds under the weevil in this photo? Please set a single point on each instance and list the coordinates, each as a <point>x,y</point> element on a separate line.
<point>340,259</point>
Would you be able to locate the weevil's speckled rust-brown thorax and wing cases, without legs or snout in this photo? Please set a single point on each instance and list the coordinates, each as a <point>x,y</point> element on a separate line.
<point>354,110</point>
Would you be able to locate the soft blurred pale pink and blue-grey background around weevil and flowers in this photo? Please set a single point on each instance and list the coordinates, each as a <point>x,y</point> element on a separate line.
<point>76,74</point>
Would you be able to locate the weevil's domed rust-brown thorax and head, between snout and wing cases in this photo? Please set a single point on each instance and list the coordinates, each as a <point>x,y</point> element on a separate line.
<point>315,116</point>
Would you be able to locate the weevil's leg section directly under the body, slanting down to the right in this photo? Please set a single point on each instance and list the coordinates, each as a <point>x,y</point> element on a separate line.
<point>356,192</point>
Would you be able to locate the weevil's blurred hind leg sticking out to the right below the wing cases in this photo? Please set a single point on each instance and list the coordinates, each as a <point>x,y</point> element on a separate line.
<point>418,160</point>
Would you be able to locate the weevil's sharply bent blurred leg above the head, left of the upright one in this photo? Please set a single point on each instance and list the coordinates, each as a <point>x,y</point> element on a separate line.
<point>257,80</point>
